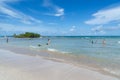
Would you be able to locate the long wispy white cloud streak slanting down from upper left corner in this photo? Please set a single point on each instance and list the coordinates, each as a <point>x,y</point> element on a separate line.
<point>14,14</point>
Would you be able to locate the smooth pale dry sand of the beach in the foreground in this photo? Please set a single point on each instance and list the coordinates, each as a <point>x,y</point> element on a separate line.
<point>22,67</point>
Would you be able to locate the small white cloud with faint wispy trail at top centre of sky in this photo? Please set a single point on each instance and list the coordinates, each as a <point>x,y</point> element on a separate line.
<point>58,11</point>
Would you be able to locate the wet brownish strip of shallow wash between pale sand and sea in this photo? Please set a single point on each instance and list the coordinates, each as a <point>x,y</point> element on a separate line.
<point>57,57</point>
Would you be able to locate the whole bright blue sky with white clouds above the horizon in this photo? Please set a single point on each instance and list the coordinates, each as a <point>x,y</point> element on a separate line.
<point>60,17</point>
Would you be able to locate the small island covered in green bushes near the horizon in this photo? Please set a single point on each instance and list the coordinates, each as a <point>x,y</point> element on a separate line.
<point>27,35</point>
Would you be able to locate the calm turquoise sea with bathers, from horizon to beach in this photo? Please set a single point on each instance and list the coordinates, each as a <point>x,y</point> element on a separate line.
<point>103,52</point>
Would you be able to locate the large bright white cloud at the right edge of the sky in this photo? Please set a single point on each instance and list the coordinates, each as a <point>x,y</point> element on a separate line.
<point>105,16</point>
